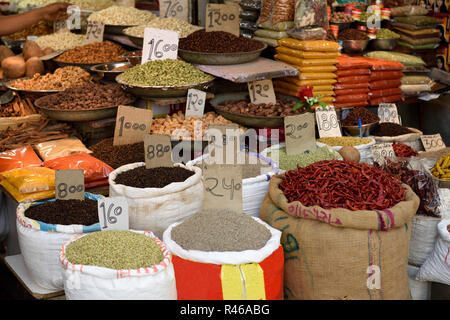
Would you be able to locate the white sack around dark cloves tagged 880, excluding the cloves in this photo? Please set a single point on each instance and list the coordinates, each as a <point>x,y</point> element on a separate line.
<point>155,209</point>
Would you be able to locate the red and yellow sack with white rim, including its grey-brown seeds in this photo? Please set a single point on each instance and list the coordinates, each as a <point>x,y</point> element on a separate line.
<point>226,255</point>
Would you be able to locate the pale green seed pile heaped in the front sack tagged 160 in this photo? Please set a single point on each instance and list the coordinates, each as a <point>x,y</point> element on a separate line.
<point>114,249</point>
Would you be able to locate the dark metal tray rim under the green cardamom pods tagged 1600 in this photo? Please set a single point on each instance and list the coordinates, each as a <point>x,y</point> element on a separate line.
<point>147,92</point>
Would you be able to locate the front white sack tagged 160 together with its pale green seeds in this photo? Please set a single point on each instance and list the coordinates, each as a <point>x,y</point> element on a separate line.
<point>117,265</point>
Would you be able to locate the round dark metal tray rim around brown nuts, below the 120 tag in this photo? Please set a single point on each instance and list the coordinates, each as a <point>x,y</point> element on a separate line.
<point>247,120</point>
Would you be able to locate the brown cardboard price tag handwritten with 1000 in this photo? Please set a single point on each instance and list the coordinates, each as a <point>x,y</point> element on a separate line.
<point>132,124</point>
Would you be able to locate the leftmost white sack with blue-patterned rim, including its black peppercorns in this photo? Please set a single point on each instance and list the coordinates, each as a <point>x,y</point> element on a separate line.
<point>42,228</point>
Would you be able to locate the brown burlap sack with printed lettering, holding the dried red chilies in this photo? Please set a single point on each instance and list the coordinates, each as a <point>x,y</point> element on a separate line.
<point>342,254</point>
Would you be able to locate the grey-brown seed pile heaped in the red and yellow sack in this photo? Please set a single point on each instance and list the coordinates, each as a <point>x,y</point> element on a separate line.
<point>220,230</point>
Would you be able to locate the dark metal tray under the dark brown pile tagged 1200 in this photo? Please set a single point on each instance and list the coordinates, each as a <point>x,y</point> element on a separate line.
<point>219,58</point>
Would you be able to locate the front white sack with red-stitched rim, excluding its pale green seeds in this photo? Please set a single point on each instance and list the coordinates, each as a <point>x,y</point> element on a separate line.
<point>82,282</point>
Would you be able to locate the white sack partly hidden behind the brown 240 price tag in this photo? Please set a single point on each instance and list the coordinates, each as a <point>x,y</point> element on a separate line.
<point>255,184</point>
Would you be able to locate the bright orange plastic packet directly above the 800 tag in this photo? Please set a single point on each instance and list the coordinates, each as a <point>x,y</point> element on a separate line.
<point>96,171</point>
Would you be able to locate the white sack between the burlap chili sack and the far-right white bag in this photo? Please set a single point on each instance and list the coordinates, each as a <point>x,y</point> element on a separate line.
<point>423,238</point>
